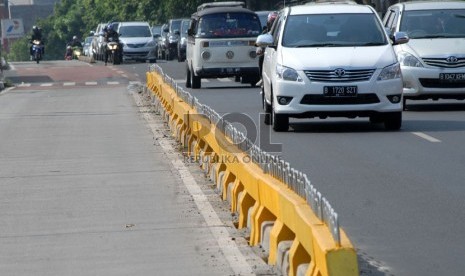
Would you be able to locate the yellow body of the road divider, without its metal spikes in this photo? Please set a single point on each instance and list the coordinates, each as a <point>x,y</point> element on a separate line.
<point>257,195</point>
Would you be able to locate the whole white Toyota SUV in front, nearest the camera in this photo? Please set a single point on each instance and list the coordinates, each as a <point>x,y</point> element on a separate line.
<point>331,60</point>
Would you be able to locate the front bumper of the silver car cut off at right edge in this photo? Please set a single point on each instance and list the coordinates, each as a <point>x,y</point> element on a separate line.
<point>424,83</point>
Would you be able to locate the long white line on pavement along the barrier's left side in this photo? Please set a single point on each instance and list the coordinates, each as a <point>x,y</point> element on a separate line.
<point>231,251</point>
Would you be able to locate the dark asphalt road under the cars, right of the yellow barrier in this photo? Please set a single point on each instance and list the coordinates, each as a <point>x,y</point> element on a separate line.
<point>400,195</point>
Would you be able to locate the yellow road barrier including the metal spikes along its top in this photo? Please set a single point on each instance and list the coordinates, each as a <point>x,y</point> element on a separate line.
<point>283,211</point>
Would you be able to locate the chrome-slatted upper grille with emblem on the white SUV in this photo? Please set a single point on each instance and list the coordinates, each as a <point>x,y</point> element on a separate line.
<point>331,76</point>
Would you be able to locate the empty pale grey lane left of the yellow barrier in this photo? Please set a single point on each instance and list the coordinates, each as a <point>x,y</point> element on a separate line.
<point>88,185</point>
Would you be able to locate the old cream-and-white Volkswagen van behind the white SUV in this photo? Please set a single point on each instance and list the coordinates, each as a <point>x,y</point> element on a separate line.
<point>221,43</point>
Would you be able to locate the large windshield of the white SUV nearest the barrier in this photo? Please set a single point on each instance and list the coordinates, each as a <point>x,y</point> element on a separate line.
<point>333,30</point>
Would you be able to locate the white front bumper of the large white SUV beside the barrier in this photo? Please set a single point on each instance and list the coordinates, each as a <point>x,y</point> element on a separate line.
<point>308,99</point>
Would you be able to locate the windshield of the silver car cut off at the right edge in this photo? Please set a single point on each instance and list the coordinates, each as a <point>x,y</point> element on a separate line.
<point>433,23</point>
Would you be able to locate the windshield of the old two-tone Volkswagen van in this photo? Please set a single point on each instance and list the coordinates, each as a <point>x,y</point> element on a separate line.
<point>229,25</point>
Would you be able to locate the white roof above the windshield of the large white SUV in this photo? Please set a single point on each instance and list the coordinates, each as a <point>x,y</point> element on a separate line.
<point>330,8</point>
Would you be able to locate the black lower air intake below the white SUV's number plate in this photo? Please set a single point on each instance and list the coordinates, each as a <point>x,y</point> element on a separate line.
<point>312,99</point>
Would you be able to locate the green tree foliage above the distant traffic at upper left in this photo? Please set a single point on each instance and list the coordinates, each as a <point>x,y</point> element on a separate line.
<point>79,17</point>
